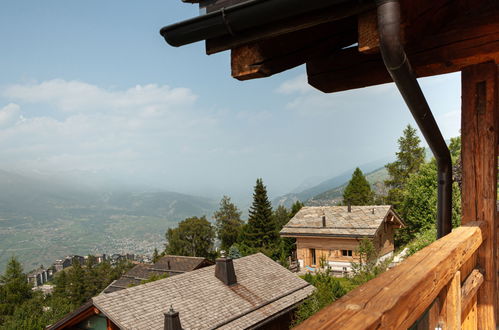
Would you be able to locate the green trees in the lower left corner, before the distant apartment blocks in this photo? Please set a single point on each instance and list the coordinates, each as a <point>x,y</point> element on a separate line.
<point>24,308</point>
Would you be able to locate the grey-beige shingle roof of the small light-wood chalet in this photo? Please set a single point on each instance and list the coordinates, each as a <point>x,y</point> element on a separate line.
<point>360,222</point>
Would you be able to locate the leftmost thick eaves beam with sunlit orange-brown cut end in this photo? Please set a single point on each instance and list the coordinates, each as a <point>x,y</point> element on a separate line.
<point>270,56</point>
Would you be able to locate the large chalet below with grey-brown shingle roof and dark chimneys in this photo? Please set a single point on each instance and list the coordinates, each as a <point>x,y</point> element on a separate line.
<point>250,292</point>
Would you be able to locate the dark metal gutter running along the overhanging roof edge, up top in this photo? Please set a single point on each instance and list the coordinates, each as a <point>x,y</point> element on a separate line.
<point>243,16</point>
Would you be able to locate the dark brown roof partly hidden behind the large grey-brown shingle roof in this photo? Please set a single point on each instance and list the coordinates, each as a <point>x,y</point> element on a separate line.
<point>168,265</point>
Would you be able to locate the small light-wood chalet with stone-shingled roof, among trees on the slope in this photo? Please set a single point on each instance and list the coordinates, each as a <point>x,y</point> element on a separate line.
<point>333,233</point>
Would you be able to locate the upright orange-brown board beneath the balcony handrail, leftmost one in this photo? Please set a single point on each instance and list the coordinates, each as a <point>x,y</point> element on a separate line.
<point>450,315</point>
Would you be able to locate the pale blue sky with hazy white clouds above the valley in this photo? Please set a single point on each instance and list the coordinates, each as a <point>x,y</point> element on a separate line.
<point>91,87</point>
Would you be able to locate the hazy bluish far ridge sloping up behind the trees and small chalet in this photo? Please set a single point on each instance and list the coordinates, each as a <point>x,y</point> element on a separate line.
<point>327,185</point>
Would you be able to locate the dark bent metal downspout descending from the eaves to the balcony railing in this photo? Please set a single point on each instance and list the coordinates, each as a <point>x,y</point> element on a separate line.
<point>401,72</point>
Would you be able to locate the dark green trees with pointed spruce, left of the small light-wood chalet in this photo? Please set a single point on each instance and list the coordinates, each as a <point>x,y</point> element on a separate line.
<point>195,236</point>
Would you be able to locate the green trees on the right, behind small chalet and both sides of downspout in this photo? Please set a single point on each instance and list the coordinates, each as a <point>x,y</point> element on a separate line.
<point>412,188</point>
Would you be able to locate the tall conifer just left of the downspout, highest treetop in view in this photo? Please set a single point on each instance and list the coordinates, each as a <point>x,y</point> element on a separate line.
<point>410,157</point>
